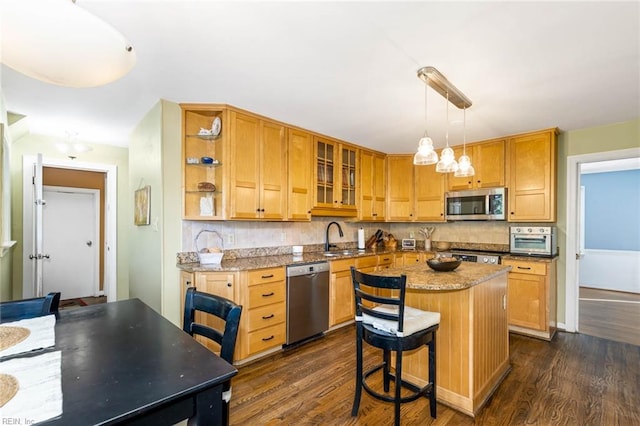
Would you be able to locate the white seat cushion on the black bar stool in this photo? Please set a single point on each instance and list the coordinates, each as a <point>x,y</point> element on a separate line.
<point>414,320</point>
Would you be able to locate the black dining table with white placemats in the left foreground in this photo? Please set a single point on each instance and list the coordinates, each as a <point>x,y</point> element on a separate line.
<point>123,363</point>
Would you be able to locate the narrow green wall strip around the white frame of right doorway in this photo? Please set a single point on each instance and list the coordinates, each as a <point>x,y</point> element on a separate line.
<point>612,137</point>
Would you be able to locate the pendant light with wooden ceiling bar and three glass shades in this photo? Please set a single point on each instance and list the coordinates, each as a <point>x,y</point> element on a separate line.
<point>438,82</point>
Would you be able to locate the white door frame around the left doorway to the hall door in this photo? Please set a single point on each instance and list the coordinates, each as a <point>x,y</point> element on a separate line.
<point>110,225</point>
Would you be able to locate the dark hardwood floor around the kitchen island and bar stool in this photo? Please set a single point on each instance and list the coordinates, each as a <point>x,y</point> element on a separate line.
<point>574,380</point>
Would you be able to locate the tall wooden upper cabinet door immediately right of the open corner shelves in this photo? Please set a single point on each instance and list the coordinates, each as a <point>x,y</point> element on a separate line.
<point>244,167</point>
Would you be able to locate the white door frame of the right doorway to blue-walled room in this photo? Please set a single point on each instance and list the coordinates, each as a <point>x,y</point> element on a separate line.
<point>572,279</point>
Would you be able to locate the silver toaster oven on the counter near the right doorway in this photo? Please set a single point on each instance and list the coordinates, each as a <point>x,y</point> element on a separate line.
<point>533,240</point>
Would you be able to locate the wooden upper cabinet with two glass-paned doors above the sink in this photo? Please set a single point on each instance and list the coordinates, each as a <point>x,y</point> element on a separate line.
<point>335,178</point>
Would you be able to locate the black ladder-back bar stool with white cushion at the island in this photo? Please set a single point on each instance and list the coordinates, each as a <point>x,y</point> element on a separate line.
<point>383,321</point>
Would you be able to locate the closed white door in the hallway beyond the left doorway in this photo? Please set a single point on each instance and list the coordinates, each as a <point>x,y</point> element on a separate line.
<point>70,222</point>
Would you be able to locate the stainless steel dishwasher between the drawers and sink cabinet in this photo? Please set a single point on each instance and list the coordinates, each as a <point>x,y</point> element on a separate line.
<point>307,301</point>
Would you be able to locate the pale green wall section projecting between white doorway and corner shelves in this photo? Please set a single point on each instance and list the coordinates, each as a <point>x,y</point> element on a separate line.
<point>154,158</point>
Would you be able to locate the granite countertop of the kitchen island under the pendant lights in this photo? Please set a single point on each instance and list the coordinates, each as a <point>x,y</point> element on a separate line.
<point>421,277</point>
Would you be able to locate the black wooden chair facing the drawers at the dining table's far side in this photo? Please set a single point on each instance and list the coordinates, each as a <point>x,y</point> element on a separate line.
<point>227,311</point>
